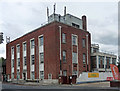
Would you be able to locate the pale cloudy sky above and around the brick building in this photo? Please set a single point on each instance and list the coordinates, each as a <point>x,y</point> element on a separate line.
<point>20,17</point>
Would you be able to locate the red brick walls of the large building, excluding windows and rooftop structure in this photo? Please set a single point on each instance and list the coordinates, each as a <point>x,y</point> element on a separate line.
<point>51,51</point>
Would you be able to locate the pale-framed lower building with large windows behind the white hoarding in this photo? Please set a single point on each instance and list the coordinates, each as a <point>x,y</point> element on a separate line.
<point>100,61</point>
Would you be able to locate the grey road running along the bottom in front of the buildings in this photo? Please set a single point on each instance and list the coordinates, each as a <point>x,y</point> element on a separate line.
<point>83,87</point>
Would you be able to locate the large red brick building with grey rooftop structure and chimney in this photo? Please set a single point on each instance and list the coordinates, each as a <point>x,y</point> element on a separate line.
<point>54,51</point>
